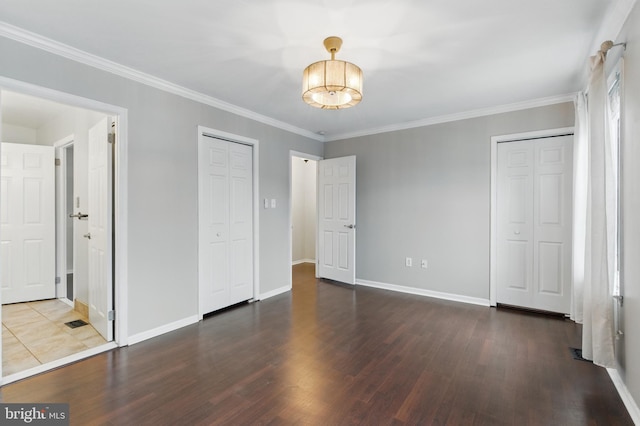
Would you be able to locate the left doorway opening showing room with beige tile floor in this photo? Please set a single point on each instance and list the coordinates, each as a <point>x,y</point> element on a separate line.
<point>40,329</point>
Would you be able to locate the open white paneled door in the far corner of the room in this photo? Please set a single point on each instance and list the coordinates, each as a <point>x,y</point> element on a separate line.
<point>337,219</point>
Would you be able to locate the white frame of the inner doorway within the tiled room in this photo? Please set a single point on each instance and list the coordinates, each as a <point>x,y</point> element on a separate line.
<point>61,199</point>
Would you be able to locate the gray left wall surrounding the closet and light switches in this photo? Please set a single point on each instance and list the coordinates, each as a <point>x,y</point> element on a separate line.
<point>162,183</point>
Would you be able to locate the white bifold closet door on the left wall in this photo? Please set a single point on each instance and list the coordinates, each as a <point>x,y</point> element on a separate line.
<point>225,171</point>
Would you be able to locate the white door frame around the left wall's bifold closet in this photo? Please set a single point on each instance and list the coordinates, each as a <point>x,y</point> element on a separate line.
<point>254,143</point>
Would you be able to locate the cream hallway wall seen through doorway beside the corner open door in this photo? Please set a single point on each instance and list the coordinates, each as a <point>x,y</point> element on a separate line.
<point>304,197</point>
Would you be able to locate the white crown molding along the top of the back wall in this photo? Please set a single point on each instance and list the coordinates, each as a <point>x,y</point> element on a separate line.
<point>456,117</point>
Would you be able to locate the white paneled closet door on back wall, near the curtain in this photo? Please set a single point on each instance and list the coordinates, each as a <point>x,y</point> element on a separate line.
<point>534,190</point>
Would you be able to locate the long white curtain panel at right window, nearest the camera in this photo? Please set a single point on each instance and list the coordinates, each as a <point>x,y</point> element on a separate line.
<point>600,239</point>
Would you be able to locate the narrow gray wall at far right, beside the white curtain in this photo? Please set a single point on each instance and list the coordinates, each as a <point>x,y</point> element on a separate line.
<point>629,346</point>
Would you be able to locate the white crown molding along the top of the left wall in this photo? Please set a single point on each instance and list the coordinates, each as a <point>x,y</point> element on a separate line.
<point>40,42</point>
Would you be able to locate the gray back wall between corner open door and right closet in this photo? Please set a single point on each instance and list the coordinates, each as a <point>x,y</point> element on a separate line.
<point>425,193</point>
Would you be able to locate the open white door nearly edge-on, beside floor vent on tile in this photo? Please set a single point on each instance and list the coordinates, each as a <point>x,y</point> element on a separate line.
<point>100,241</point>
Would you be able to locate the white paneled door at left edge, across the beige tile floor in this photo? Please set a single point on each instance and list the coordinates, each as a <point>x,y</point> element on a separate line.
<point>27,216</point>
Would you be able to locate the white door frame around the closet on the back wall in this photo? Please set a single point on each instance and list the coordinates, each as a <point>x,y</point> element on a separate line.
<point>493,268</point>
